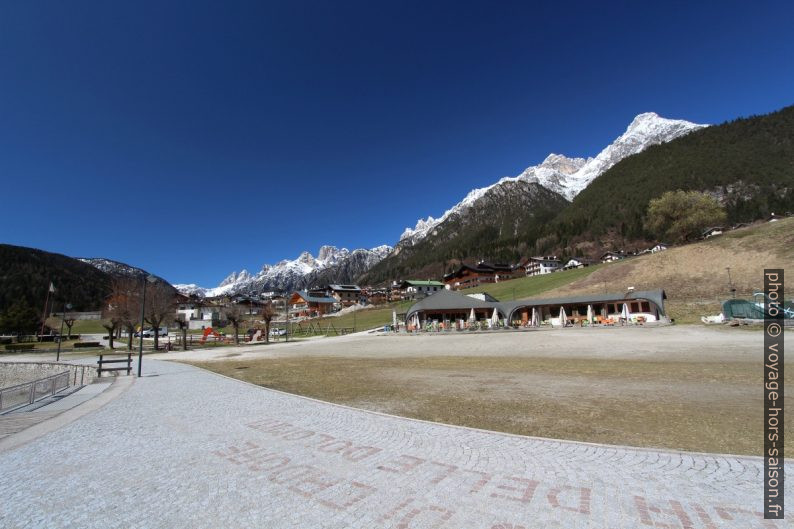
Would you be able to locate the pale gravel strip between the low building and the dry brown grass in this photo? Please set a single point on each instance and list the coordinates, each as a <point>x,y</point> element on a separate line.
<point>682,343</point>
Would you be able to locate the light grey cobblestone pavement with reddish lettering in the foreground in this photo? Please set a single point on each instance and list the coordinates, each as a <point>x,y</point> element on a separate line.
<point>187,448</point>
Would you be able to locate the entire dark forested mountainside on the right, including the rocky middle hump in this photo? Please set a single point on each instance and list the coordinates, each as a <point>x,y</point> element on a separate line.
<point>747,164</point>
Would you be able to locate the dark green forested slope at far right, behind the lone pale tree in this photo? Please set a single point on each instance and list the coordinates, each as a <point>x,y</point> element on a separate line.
<point>747,163</point>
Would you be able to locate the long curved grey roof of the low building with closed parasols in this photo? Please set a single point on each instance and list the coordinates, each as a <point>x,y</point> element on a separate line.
<point>448,300</point>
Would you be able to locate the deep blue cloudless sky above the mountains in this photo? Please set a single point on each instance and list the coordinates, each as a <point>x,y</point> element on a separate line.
<point>194,138</point>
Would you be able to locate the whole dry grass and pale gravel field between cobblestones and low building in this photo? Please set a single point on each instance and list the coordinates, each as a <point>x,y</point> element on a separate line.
<point>680,387</point>
